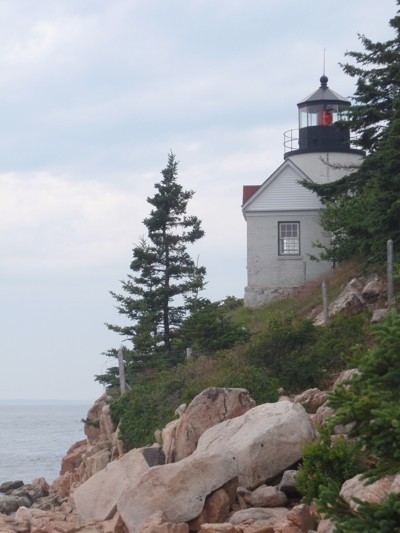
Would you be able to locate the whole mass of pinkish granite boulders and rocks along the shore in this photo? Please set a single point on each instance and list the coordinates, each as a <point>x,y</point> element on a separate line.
<point>224,465</point>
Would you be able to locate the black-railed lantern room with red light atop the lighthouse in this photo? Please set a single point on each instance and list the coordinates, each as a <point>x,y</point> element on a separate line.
<point>322,126</point>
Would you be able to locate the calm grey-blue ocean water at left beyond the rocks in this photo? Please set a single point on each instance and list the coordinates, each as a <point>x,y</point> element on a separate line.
<point>35,436</point>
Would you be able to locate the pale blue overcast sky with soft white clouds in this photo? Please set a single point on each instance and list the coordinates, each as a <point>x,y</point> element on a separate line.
<point>93,96</point>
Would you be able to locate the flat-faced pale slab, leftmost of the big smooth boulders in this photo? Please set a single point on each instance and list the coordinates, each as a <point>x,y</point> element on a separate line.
<point>97,497</point>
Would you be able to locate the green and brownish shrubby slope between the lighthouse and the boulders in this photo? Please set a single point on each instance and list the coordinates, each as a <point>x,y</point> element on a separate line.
<point>283,349</point>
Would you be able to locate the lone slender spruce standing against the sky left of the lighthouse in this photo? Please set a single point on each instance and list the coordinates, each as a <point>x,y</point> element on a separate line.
<point>164,276</point>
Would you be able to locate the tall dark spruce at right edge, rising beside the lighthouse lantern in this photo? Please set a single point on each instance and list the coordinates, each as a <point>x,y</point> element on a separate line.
<point>361,210</point>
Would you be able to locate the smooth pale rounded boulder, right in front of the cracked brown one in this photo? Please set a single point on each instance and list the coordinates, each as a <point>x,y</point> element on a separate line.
<point>265,441</point>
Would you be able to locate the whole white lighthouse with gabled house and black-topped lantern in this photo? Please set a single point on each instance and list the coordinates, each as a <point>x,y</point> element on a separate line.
<point>281,215</point>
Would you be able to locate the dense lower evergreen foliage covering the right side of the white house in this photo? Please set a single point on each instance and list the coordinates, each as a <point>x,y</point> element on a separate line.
<point>362,211</point>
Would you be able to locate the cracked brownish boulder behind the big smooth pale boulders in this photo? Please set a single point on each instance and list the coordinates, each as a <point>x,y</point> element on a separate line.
<point>210,407</point>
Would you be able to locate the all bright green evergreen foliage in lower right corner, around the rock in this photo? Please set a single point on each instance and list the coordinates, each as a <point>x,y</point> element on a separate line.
<point>370,403</point>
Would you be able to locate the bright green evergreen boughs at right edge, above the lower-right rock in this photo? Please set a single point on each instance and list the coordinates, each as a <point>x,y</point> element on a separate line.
<point>372,401</point>
